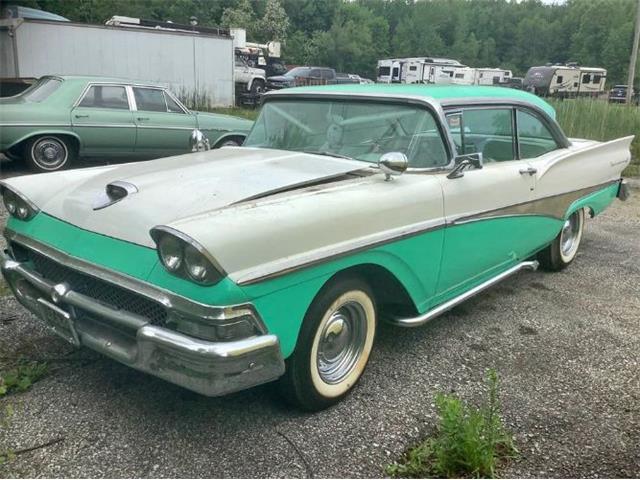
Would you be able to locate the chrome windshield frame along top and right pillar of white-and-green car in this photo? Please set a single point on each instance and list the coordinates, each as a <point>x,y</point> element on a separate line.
<point>429,102</point>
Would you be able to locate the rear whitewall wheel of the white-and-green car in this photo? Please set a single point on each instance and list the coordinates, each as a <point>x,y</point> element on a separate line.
<point>564,248</point>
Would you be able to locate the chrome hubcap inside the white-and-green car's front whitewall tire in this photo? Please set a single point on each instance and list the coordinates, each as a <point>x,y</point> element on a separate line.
<point>341,342</point>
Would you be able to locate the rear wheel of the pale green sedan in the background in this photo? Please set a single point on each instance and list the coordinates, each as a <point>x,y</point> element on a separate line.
<point>49,153</point>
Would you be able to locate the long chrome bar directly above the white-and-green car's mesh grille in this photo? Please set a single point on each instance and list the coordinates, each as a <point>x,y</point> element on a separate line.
<point>172,301</point>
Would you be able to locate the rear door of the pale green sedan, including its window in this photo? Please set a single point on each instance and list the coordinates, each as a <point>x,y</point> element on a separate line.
<point>103,120</point>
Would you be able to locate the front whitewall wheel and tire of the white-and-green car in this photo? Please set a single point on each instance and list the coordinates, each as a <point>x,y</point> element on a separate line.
<point>333,347</point>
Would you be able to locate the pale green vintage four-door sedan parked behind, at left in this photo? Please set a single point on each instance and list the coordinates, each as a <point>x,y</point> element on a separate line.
<point>61,118</point>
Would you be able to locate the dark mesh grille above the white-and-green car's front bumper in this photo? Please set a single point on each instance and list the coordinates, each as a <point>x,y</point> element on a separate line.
<point>104,292</point>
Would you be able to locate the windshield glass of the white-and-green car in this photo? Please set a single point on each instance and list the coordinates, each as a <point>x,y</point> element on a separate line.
<point>362,130</point>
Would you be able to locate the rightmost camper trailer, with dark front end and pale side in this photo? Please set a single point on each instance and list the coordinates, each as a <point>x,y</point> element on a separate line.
<point>568,80</point>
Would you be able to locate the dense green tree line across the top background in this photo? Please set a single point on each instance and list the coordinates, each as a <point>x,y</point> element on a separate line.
<point>352,36</point>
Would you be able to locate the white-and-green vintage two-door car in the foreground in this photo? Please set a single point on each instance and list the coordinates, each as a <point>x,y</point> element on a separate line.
<point>225,269</point>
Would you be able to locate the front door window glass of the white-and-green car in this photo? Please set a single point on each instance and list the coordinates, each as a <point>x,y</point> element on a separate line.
<point>484,130</point>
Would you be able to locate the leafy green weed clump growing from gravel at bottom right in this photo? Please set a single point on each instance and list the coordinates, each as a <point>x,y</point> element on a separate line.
<point>469,441</point>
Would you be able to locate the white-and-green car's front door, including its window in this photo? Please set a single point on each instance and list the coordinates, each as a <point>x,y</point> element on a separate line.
<point>485,232</point>
